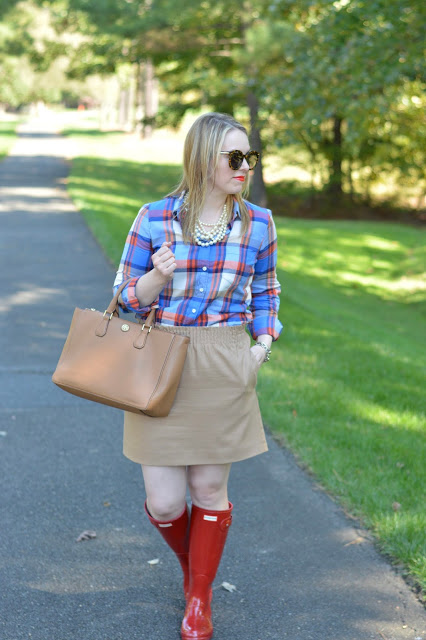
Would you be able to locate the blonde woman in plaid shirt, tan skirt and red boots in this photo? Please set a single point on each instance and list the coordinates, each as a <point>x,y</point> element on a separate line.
<point>206,258</point>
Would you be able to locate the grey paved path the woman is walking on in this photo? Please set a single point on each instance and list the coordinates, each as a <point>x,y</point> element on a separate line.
<point>300,569</point>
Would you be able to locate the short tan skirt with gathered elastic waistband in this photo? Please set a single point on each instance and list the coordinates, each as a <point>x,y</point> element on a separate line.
<point>215,418</point>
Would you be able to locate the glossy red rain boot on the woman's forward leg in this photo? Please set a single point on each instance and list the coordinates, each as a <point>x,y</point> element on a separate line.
<point>207,537</point>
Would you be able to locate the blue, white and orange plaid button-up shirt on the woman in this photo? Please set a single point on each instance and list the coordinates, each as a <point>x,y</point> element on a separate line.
<point>229,283</point>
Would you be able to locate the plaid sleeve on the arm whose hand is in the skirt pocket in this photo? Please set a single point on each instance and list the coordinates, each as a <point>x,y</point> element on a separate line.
<point>265,288</point>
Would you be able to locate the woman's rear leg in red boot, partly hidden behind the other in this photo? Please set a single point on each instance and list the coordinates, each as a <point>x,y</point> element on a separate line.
<point>167,510</point>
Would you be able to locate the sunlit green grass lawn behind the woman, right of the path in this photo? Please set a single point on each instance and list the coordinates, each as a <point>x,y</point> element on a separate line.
<point>345,385</point>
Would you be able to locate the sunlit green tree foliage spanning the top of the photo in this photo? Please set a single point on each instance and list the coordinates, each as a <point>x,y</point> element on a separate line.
<point>345,79</point>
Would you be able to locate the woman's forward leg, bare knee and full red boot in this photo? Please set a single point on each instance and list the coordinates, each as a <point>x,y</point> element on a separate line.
<point>210,520</point>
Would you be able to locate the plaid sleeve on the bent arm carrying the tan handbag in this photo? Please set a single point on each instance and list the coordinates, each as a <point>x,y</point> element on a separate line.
<point>135,262</point>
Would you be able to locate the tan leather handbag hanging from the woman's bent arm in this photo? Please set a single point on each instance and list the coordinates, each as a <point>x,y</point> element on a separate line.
<point>135,367</point>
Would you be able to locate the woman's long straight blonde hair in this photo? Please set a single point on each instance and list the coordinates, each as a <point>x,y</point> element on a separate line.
<point>203,143</point>
